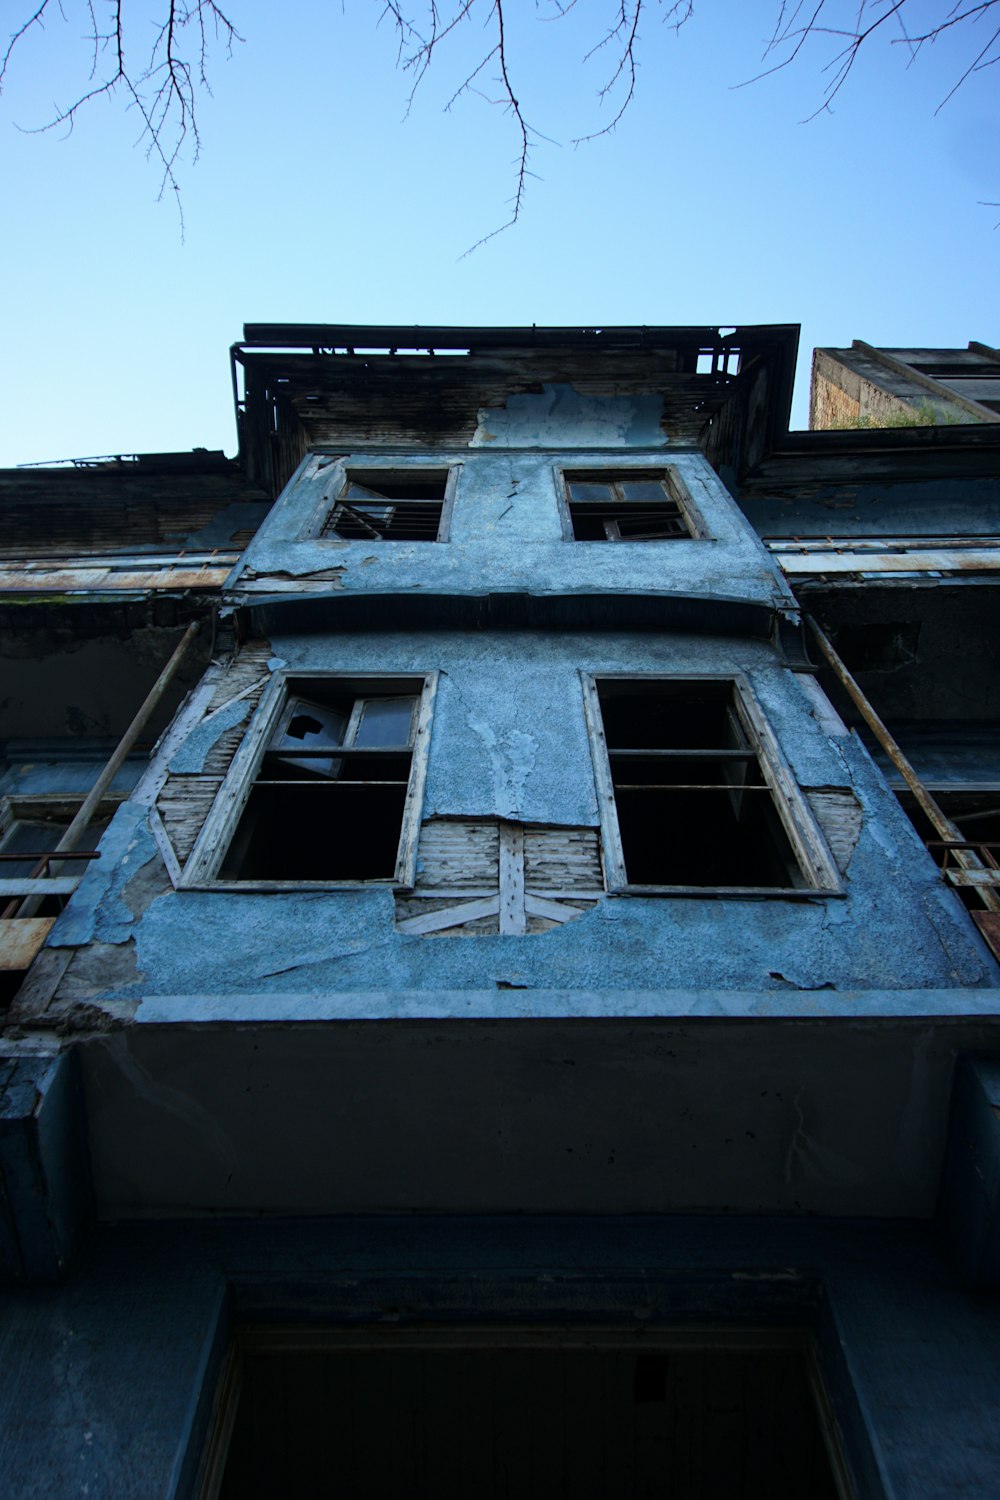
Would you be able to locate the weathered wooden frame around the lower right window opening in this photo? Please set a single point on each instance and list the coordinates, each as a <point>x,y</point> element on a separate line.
<point>810,848</point>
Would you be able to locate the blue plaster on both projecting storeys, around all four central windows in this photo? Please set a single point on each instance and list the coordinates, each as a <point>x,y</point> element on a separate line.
<point>509,740</point>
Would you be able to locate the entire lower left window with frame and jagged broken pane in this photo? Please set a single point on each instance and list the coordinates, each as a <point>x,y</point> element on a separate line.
<point>326,787</point>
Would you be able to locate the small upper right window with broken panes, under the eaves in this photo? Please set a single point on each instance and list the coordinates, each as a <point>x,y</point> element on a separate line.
<point>641,506</point>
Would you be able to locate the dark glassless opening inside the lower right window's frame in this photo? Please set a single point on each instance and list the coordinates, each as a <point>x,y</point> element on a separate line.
<point>693,805</point>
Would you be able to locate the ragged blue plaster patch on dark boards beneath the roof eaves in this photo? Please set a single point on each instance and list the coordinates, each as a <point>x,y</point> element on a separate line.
<point>561,418</point>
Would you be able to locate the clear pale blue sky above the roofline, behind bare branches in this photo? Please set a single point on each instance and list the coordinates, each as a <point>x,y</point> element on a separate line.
<point>316,200</point>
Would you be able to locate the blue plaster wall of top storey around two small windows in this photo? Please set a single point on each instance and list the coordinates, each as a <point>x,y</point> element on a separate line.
<point>507,536</point>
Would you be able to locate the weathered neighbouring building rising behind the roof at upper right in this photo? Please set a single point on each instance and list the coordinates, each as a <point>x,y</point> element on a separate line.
<point>869,388</point>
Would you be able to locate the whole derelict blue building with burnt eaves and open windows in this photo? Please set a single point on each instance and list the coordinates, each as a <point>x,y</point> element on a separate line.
<point>501,922</point>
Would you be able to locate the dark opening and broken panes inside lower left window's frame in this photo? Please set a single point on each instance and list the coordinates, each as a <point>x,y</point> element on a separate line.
<point>320,817</point>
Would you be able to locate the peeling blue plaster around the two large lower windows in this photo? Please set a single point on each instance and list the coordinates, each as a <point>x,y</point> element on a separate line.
<point>509,740</point>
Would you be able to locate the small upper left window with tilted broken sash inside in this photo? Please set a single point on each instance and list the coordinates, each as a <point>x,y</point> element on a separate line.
<point>389,506</point>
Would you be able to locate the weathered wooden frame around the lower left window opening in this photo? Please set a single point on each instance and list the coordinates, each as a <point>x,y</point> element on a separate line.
<point>214,842</point>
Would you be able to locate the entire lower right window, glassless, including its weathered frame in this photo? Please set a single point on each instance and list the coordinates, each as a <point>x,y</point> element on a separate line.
<point>696,796</point>
